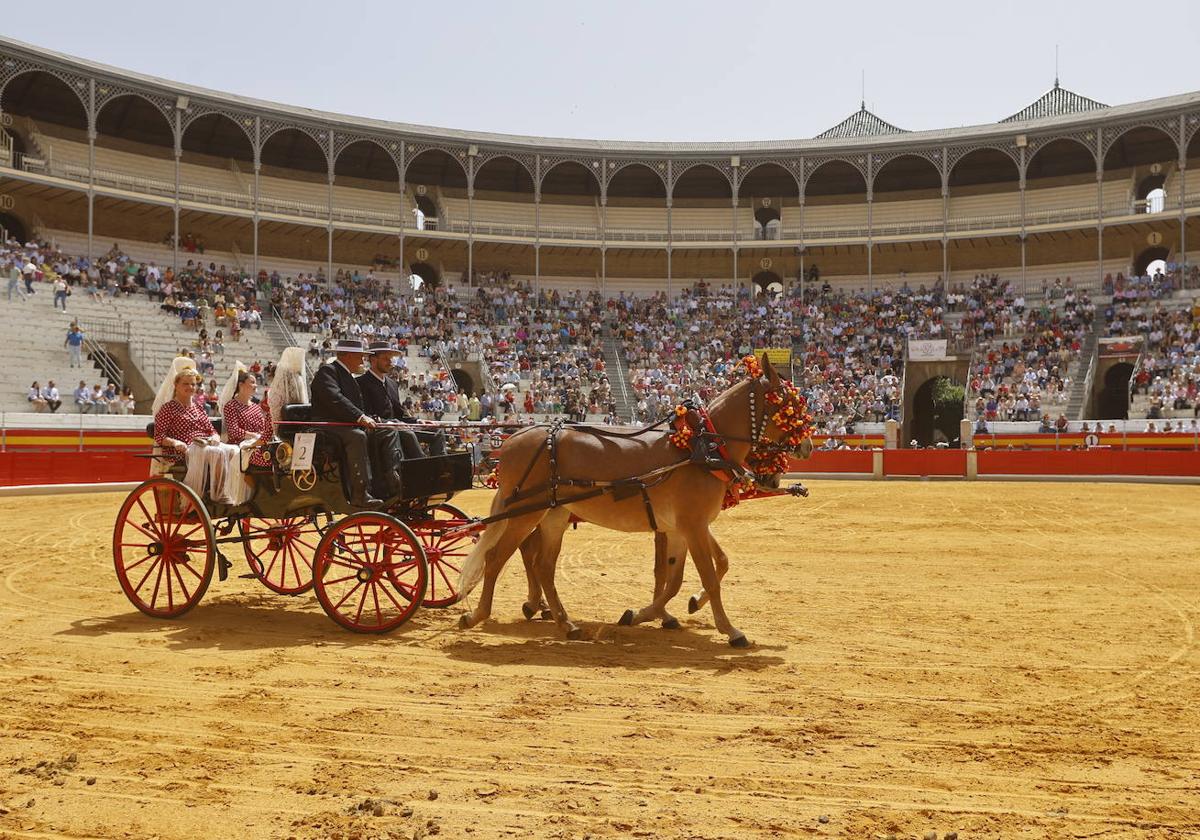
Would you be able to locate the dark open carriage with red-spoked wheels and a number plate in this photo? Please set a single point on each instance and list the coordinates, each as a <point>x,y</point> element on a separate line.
<point>370,569</point>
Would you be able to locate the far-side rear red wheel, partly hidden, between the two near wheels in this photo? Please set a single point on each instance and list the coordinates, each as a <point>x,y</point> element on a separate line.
<point>280,551</point>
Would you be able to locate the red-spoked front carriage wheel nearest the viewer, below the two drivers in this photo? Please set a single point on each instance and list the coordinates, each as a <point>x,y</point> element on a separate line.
<point>370,573</point>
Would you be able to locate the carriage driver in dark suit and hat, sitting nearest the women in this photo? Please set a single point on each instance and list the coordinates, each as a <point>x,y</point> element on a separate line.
<point>338,399</point>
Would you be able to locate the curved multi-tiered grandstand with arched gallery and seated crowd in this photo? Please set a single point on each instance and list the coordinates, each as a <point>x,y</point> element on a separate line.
<point>610,279</point>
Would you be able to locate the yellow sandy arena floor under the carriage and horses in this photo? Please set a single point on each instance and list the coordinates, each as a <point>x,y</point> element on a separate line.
<point>997,661</point>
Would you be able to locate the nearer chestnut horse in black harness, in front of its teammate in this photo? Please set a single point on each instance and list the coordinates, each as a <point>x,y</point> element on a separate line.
<point>685,500</point>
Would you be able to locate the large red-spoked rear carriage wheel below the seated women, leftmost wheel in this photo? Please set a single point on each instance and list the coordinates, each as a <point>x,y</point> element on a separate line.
<point>164,548</point>
